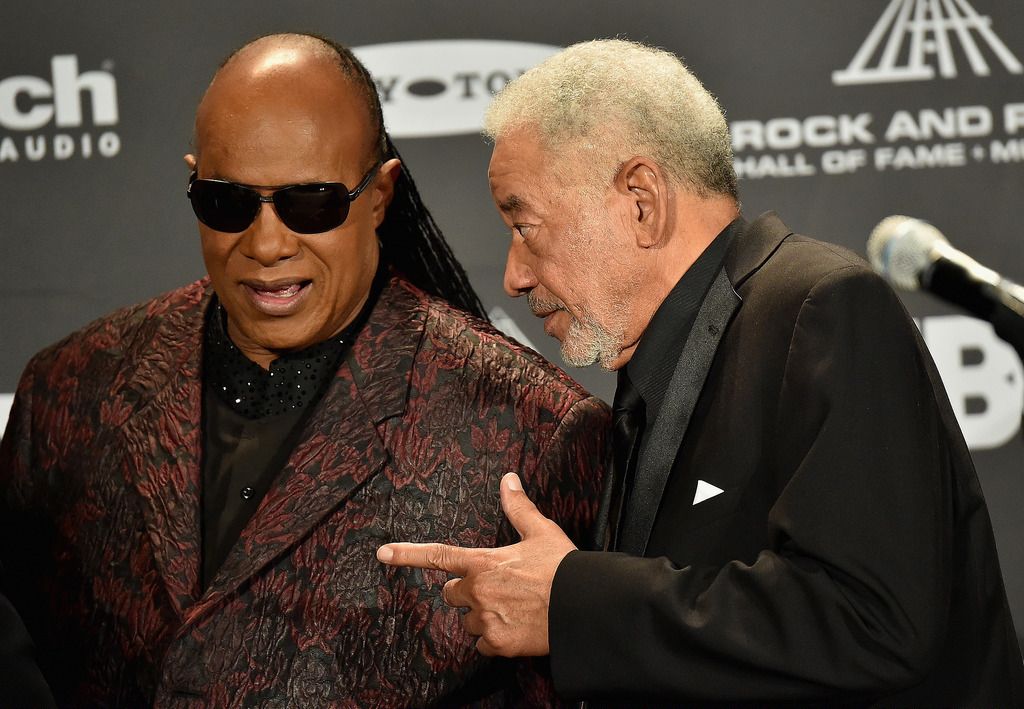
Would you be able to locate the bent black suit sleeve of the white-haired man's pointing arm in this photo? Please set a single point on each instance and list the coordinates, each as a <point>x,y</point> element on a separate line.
<point>854,593</point>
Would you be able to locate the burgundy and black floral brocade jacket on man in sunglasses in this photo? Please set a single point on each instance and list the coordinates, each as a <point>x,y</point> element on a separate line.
<point>100,512</point>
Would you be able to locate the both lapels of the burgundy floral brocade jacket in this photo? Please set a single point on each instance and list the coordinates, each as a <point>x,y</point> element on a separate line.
<point>337,451</point>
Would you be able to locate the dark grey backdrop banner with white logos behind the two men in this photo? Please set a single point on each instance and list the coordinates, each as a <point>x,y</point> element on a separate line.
<point>842,114</point>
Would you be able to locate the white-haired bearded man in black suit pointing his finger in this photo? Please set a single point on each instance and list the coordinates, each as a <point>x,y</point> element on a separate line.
<point>794,516</point>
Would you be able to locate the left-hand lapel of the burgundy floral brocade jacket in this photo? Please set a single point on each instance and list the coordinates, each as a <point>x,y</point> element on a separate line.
<point>163,435</point>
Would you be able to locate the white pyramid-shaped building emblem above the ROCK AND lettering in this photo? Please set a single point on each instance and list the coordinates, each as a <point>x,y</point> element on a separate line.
<point>932,30</point>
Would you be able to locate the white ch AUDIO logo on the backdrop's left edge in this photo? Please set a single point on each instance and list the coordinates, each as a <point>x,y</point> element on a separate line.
<point>32,104</point>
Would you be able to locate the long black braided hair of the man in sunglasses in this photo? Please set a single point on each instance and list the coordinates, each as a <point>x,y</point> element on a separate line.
<point>411,241</point>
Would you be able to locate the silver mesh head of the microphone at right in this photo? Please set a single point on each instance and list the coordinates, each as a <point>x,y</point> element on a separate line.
<point>901,249</point>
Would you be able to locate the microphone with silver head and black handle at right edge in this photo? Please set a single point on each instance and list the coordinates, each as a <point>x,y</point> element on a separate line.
<point>912,255</point>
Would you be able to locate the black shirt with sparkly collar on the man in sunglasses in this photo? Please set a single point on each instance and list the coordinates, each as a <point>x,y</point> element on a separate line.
<point>252,420</point>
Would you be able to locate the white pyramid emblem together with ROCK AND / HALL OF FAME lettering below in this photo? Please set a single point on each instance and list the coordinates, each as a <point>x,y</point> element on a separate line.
<point>912,41</point>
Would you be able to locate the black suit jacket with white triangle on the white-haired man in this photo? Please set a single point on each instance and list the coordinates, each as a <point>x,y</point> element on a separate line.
<point>850,557</point>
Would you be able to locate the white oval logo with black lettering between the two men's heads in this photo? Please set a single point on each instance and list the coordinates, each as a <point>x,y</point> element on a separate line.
<point>442,88</point>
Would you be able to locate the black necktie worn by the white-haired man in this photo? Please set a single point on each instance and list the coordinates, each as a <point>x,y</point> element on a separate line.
<point>628,414</point>
